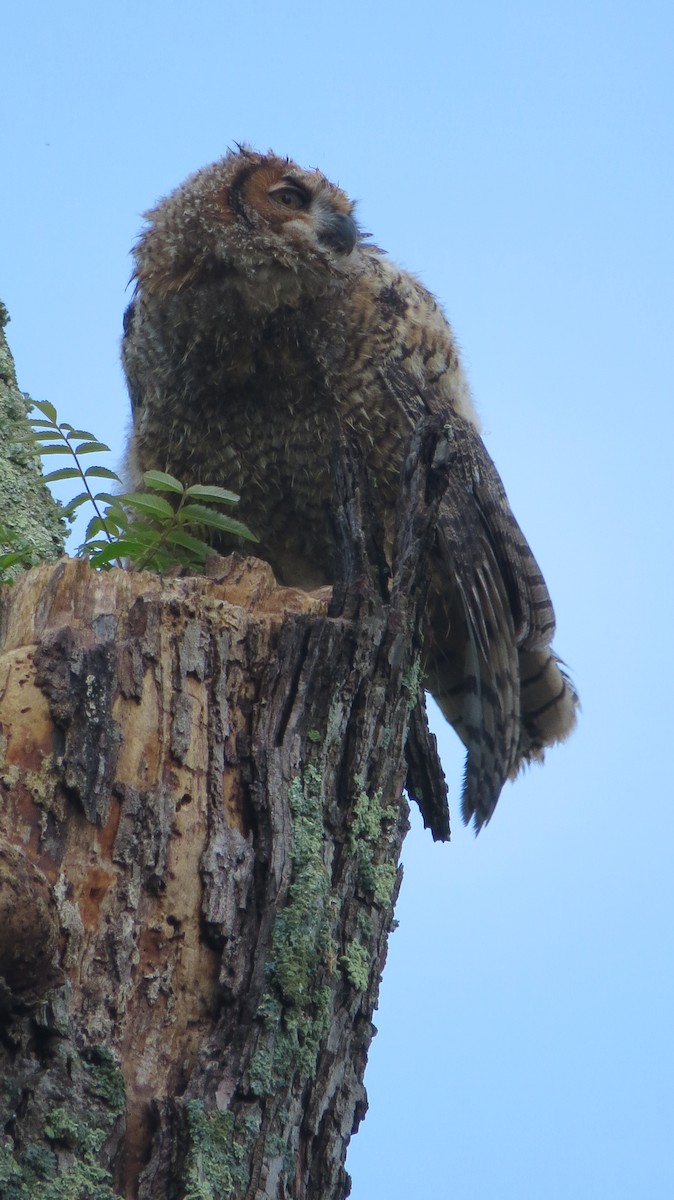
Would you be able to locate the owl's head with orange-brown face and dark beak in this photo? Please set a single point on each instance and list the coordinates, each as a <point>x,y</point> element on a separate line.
<point>257,224</point>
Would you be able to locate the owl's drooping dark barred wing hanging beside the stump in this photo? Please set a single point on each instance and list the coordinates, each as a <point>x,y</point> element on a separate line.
<point>489,613</point>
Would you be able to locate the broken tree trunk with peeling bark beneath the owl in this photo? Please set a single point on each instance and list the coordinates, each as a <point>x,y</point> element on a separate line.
<point>201,825</point>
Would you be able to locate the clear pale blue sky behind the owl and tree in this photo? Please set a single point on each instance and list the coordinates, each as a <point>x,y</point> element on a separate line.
<point>519,157</point>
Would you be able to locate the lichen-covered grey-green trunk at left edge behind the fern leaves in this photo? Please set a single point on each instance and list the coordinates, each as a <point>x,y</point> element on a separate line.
<point>29,515</point>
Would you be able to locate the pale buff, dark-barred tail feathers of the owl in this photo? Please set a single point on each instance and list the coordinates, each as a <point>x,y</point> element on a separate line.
<point>549,705</point>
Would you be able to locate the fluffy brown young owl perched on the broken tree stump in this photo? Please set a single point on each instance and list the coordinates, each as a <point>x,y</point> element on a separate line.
<point>262,325</point>
